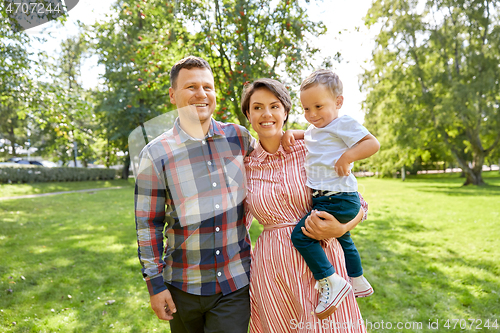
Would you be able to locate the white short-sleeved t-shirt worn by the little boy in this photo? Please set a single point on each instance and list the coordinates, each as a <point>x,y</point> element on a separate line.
<point>324,147</point>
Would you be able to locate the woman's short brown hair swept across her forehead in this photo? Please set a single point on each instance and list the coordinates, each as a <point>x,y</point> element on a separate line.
<point>275,87</point>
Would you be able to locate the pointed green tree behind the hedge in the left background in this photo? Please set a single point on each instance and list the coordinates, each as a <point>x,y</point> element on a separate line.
<point>63,109</point>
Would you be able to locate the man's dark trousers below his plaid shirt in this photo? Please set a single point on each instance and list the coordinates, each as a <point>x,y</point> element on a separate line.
<point>210,314</point>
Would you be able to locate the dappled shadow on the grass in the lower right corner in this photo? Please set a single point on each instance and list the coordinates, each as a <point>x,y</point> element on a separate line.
<point>420,279</point>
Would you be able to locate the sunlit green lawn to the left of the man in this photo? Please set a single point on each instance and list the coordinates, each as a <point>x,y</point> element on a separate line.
<point>82,245</point>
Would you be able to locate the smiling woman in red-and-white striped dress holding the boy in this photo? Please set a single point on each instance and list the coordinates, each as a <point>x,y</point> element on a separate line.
<point>282,287</point>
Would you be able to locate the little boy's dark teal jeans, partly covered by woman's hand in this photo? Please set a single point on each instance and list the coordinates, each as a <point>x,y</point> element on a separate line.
<point>344,206</point>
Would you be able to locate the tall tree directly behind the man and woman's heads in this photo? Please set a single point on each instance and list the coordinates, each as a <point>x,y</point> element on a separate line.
<point>242,40</point>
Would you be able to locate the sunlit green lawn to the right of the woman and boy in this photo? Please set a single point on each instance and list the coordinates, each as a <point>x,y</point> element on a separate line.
<point>430,250</point>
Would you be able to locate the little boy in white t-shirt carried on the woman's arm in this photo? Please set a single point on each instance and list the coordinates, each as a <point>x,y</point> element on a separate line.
<point>333,145</point>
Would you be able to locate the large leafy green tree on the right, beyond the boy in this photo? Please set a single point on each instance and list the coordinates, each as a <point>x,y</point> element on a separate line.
<point>435,77</point>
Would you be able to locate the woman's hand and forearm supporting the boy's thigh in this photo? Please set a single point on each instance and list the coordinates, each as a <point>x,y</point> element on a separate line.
<point>322,225</point>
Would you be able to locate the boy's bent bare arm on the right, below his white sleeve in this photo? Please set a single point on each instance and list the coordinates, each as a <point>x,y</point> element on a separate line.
<point>365,148</point>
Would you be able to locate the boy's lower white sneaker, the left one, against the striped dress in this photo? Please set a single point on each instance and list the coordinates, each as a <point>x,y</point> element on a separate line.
<point>333,290</point>
